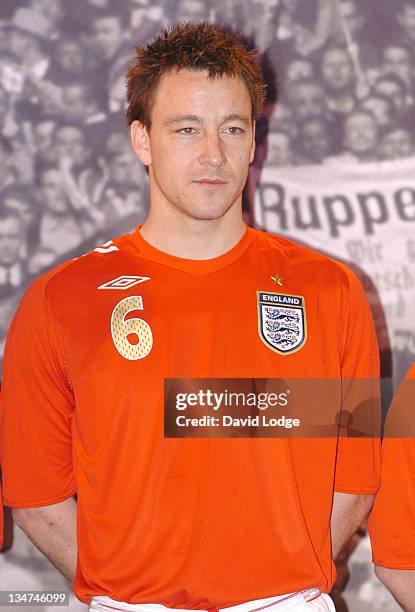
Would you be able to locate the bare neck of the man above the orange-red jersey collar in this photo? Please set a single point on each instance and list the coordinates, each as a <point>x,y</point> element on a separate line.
<point>181,235</point>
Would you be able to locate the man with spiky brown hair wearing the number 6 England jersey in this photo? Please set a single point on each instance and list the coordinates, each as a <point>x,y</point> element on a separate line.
<point>198,523</point>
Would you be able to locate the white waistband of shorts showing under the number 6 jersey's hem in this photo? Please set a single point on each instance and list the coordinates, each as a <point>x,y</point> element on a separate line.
<point>106,603</point>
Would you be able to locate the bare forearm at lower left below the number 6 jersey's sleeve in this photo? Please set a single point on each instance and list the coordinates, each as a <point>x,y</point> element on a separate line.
<point>53,531</point>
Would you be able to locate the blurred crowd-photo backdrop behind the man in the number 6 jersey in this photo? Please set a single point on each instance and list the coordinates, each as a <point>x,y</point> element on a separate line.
<point>333,167</point>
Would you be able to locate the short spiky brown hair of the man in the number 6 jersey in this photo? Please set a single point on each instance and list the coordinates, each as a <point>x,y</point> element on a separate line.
<point>195,46</point>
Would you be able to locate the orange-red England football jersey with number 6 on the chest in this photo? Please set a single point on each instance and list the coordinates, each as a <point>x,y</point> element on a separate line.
<point>188,523</point>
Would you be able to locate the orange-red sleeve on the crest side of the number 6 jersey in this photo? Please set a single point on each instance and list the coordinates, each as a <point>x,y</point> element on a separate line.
<point>358,453</point>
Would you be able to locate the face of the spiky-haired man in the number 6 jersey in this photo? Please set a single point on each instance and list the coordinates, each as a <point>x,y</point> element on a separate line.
<point>200,144</point>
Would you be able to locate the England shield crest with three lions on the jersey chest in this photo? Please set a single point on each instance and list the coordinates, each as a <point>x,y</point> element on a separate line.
<point>282,323</point>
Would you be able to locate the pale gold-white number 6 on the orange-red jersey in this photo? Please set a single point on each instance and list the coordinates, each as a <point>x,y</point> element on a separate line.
<point>122,327</point>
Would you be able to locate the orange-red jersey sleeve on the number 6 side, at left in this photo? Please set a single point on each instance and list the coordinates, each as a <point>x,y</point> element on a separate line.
<point>37,406</point>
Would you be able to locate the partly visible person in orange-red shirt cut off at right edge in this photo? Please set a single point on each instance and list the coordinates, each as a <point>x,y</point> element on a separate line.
<point>392,522</point>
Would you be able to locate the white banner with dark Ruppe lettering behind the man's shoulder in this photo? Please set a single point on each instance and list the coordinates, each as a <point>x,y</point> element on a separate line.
<point>363,214</point>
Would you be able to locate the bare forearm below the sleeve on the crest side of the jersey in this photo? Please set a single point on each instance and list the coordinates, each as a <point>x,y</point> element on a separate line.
<point>348,513</point>
